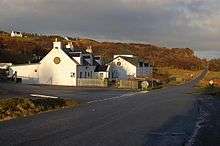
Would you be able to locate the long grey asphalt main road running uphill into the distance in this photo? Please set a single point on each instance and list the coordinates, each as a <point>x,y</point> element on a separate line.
<point>160,117</point>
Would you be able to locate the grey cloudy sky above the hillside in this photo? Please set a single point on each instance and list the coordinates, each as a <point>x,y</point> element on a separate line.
<point>171,23</point>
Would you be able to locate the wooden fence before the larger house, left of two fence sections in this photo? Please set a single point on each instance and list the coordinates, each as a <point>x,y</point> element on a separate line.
<point>92,82</point>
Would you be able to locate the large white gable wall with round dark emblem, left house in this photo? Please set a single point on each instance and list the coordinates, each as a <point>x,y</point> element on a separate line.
<point>63,73</point>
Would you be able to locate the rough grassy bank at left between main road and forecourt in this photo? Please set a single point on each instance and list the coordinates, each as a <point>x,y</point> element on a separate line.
<point>22,107</point>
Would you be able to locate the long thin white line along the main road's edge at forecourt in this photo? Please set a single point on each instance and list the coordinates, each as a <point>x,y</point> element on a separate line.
<point>117,97</point>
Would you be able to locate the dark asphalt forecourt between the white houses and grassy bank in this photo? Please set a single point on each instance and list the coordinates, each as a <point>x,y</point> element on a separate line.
<point>83,94</point>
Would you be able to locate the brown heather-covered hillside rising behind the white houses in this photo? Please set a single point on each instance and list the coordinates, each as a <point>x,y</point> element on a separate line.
<point>34,47</point>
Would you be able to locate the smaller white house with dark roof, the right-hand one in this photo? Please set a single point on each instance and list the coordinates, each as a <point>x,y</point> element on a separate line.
<point>128,66</point>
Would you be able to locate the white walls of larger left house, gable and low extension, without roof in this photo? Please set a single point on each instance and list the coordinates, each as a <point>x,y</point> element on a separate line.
<point>48,72</point>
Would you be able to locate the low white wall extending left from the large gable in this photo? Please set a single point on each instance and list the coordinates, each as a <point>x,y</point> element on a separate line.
<point>29,73</point>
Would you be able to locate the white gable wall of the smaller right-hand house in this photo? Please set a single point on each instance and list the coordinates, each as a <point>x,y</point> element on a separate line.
<point>123,71</point>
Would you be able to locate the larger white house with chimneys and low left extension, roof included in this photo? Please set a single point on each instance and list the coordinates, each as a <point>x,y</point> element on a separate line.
<point>61,66</point>
